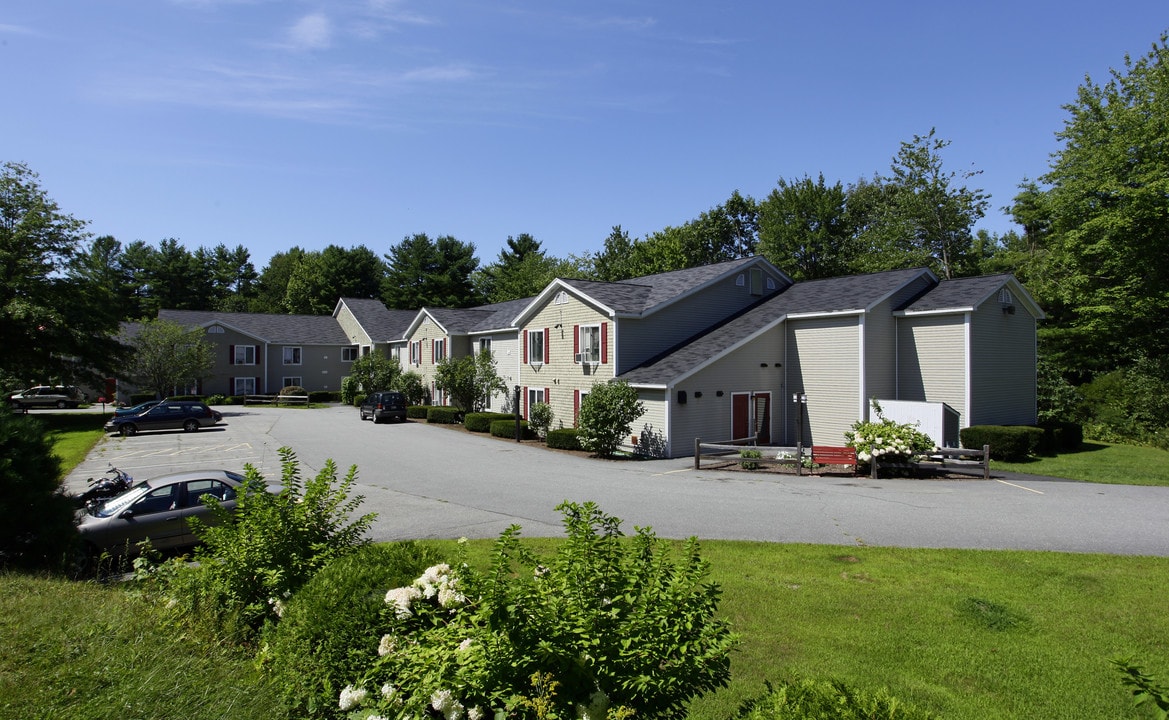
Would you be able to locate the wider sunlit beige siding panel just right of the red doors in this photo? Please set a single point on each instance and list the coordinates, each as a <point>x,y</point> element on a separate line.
<point>825,363</point>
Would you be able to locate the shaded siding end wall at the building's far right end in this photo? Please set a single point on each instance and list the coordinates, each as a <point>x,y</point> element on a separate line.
<point>1004,376</point>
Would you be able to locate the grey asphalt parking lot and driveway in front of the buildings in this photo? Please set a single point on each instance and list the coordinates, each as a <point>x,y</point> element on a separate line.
<point>432,482</point>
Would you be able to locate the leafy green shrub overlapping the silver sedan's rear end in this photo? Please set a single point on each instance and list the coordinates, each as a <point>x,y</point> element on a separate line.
<point>254,559</point>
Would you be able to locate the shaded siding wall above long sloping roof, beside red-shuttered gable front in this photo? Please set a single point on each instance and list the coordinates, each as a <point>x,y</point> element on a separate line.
<point>645,338</point>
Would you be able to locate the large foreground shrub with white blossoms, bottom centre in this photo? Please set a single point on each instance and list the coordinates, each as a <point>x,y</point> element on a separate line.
<point>610,627</point>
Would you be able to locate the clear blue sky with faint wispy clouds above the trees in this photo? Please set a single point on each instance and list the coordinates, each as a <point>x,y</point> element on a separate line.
<point>279,123</point>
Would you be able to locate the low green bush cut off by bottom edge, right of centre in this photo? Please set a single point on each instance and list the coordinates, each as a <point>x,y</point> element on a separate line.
<point>808,700</point>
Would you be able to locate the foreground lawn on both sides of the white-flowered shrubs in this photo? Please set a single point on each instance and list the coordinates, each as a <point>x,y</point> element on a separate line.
<point>965,634</point>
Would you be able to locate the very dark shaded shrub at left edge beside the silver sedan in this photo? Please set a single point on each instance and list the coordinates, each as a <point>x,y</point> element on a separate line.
<point>37,529</point>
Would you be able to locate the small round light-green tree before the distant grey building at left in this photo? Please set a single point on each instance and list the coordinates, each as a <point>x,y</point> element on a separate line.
<point>168,357</point>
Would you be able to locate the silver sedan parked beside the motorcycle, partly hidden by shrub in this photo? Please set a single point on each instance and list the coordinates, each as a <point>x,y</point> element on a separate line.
<point>160,509</point>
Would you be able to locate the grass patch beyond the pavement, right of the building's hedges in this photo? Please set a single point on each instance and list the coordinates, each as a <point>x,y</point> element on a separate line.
<point>1098,462</point>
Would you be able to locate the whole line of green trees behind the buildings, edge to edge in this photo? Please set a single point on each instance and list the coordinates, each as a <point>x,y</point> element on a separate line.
<point>1091,250</point>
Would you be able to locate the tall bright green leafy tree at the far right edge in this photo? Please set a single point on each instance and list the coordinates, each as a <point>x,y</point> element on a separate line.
<point>1103,221</point>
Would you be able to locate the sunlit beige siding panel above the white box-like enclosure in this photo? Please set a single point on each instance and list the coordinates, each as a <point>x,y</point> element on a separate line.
<point>932,361</point>
